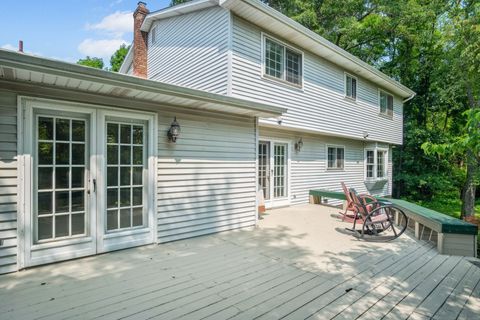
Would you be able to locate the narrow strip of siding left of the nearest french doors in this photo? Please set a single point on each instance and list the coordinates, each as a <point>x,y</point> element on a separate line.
<point>8,181</point>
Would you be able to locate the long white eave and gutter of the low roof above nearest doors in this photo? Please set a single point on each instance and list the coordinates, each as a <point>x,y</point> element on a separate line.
<point>23,69</point>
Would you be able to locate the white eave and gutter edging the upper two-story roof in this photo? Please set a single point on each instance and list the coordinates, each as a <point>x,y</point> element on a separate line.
<point>273,21</point>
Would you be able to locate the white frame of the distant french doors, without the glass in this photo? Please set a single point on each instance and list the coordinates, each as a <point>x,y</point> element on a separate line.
<point>284,201</point>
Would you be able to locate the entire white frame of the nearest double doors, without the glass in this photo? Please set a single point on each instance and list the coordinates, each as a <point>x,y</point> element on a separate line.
<point>25,127</point>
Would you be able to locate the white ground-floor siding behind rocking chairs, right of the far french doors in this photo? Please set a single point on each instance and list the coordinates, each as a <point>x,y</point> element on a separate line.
<point>308,167</point>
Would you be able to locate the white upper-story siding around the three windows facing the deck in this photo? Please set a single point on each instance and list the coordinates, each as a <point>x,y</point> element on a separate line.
<point>321,105</point>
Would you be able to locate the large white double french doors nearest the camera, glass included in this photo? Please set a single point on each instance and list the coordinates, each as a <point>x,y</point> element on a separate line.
<point>87,180</point>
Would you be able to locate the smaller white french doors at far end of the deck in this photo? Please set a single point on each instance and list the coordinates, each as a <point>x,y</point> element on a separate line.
<point>273,172</point>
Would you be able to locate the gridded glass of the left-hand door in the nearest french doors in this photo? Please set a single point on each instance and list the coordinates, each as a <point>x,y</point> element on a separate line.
<point>60,188</point>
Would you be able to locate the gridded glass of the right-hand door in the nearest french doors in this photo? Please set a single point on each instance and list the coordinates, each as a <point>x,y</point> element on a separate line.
<point>125,166</point>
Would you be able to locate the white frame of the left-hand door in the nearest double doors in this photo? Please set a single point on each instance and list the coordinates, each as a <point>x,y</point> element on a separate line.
<point>34,254</point>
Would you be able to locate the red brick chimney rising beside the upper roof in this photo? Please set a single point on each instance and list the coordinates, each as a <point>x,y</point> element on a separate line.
<point>139,41</point>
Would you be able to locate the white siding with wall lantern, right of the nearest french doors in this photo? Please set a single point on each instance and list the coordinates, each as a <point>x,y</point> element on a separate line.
<point>207,180</point>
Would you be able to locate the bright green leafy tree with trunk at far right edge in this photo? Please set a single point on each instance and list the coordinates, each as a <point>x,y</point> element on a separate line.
<point>461,46</point>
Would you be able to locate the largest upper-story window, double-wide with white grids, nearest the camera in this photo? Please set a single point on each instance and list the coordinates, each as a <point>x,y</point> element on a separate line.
<point>282,62</point>
